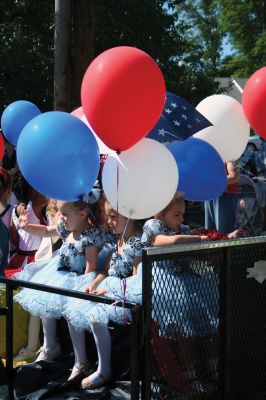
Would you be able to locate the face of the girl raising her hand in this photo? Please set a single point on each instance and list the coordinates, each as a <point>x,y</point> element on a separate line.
<point>73,218</point>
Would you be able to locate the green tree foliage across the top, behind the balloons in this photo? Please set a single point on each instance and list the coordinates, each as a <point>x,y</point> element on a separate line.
<point>169,30</point>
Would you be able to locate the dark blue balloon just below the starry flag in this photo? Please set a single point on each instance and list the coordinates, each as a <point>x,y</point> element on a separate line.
<point>202,174</point>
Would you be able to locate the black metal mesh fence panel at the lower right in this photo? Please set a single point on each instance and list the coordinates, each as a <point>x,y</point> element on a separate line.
<point>205,320</point>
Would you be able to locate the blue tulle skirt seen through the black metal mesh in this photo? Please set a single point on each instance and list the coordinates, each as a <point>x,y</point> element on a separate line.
<point>184,305</point>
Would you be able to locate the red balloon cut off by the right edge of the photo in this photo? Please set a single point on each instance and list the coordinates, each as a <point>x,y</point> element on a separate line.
<point>254,101</point>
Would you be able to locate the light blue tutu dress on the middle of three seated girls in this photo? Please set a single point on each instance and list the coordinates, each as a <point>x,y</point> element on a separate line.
<point>120,285</point>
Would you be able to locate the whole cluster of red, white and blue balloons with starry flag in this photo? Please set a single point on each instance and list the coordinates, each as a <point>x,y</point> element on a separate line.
<point>124,111</point>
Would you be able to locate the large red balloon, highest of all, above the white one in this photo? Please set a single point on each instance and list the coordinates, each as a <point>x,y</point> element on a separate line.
<point>122,95</point>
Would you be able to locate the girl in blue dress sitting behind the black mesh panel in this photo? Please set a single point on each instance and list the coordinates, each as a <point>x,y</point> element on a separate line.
<point>179,310</point>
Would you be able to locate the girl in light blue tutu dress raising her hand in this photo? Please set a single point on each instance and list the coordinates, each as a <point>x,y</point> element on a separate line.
<point>81,241</point>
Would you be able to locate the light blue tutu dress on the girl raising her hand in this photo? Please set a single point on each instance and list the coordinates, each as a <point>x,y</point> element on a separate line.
<point>62,271</point>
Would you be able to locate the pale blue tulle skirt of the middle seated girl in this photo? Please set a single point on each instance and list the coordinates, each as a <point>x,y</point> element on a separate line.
<point>80,313</point>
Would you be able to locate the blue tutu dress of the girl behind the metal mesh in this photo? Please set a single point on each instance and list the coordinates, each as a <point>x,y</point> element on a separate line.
<point>184,302</point>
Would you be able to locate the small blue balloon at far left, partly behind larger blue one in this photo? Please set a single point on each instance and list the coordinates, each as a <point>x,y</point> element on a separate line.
<point>15,116</point>
